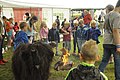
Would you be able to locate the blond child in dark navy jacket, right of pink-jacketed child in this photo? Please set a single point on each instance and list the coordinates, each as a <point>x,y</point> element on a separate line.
<point>53,36</point>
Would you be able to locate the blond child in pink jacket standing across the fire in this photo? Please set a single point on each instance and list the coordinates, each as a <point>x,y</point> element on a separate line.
<point>44,32</point>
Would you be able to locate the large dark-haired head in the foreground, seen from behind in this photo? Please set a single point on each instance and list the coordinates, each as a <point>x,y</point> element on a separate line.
<point>32,61</point>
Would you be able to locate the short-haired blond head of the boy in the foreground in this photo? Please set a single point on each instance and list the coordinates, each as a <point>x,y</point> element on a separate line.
<point>89,51</point>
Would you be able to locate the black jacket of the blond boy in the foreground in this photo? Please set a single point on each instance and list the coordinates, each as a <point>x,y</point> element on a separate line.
<point>84,73</point>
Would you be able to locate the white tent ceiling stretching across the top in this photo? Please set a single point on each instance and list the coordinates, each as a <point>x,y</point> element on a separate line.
<point>58,3</point>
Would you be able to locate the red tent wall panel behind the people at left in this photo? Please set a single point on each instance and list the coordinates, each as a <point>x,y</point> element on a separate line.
<point>19,13</point>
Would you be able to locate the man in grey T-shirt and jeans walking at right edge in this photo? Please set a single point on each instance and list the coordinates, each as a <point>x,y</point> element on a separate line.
<point>112,40</point>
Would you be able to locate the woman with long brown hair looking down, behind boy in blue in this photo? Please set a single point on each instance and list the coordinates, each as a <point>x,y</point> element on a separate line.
<point>31,28</point>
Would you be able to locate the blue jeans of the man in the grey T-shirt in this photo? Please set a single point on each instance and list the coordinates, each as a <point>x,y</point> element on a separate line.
<point>108,50</point>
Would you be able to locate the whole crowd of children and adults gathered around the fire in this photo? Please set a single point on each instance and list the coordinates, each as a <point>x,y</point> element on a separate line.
<point>32,56</point>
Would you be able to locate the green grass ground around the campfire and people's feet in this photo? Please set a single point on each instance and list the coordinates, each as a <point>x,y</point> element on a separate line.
<point>6,71</point>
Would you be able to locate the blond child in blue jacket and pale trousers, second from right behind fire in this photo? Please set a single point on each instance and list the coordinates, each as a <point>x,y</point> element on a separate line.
<point>80,34</point>
